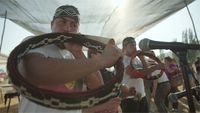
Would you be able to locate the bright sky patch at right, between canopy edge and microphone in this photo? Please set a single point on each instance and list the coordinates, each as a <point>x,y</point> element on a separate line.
<point>171,28</point>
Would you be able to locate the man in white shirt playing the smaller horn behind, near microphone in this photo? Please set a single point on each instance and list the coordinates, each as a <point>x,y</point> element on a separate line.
<point>130,104</point>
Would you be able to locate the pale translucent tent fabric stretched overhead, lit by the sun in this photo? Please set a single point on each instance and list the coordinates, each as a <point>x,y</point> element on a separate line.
<point>97,17</point>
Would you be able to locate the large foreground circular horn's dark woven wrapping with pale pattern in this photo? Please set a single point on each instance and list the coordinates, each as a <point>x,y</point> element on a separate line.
<point>58,100</point>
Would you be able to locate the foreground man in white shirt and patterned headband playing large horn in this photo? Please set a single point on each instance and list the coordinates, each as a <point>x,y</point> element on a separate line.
<point>64,67</point>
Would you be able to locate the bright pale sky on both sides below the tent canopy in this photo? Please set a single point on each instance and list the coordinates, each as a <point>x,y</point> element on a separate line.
<point>168,30</point>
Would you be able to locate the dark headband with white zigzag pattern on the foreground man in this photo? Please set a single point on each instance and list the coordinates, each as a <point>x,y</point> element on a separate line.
<point>67,11</point>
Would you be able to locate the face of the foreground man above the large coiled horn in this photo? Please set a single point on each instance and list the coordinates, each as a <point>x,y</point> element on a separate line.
<point>64,25</point>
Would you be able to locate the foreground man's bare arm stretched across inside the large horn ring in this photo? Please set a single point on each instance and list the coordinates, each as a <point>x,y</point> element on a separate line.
<point>40,70</point>
